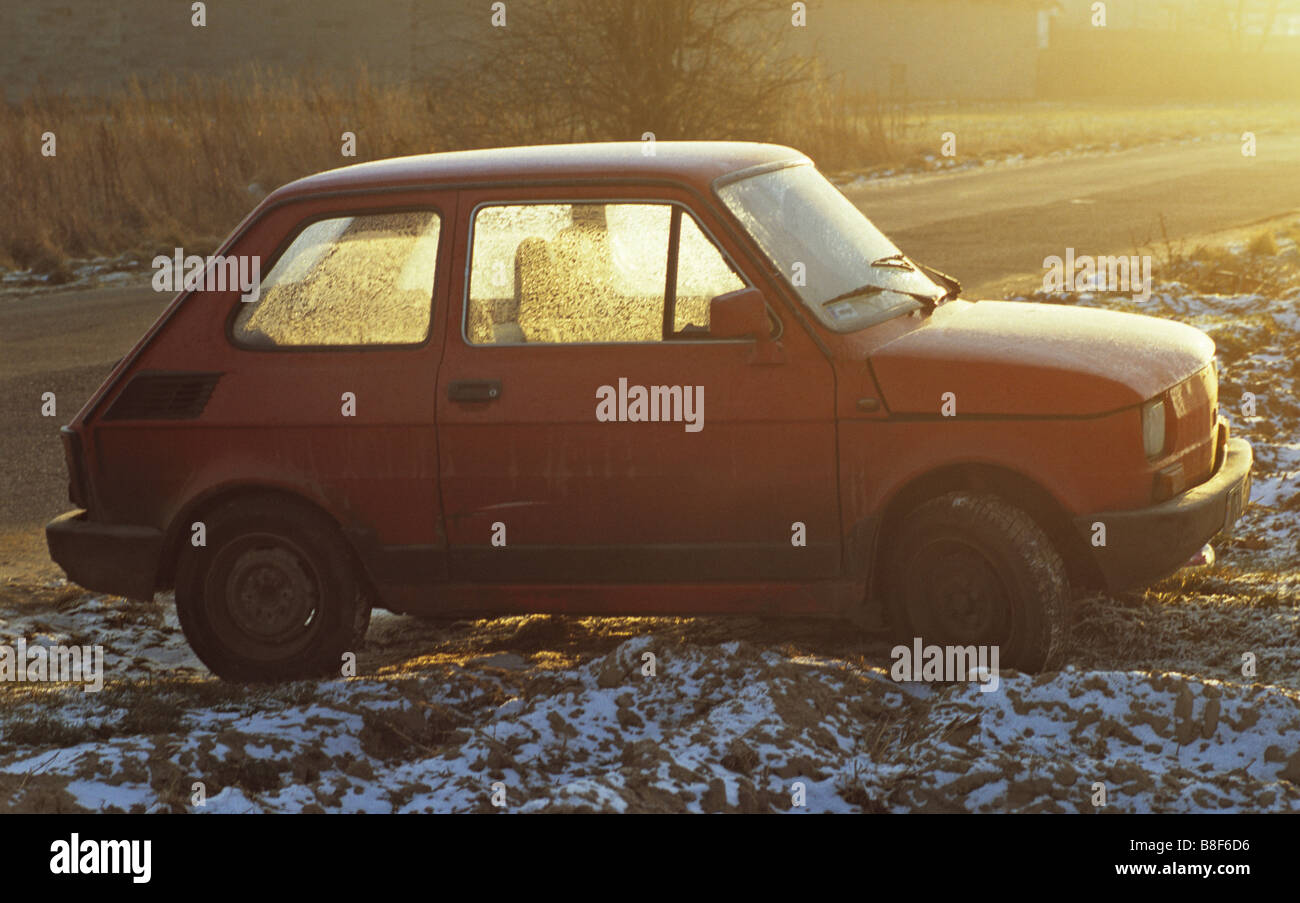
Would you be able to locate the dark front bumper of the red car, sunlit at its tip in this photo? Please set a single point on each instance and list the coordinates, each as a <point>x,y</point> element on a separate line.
<point>1149,544</point>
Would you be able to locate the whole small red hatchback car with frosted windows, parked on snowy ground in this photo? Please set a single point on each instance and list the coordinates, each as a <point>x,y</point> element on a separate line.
<point>673,379</point>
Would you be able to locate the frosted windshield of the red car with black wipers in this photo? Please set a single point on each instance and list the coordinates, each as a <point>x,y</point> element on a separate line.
<point>844,270</point>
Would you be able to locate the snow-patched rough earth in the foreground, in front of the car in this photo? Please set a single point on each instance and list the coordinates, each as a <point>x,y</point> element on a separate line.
<point>731,727</point>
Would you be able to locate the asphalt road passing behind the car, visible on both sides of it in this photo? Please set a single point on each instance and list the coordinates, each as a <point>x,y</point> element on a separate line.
<point>989,228</point>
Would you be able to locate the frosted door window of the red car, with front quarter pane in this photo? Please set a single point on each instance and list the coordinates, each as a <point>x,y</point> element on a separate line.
<point>590,273</point>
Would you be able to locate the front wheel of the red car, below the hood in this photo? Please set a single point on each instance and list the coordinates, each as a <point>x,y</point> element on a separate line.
<point>969,568</point>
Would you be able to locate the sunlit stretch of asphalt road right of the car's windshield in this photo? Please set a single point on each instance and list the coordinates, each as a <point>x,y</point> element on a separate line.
<point>994,227</point>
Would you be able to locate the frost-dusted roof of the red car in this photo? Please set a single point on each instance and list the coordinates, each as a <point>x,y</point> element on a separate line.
<point>694,163</point>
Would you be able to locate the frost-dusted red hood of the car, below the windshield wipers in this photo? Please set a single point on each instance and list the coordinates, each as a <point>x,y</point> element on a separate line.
<point>1013,358</point>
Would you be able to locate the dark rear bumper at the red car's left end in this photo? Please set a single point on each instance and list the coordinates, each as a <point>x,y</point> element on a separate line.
<point>109,558</point>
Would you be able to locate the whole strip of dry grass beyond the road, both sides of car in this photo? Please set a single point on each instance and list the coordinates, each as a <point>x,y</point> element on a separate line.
<point>179,163</point>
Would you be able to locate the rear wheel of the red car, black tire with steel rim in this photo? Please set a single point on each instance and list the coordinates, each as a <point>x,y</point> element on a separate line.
<point>274,596</point>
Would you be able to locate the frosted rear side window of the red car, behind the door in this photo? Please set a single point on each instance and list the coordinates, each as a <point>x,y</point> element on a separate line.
<point>348,281</point>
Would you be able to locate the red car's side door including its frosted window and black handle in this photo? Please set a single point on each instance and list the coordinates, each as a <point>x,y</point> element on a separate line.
<point>592,431</point>
